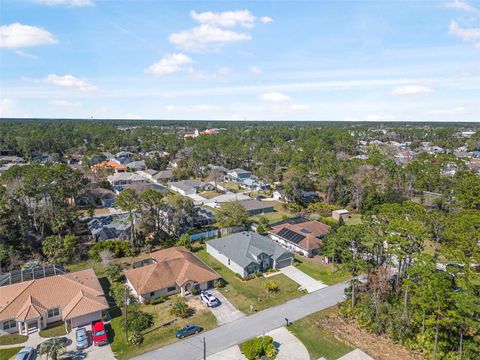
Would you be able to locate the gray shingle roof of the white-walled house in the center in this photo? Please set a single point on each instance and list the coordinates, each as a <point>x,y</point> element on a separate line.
<point>242,248</point>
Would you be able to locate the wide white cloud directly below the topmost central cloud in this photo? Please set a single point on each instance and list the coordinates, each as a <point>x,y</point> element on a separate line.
<point>205,37</point>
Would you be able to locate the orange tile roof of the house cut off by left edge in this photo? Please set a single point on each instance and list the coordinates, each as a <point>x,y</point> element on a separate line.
<point>77,293</point>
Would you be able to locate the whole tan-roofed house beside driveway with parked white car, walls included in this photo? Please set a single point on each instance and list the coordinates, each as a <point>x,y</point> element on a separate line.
<point>167,272</point>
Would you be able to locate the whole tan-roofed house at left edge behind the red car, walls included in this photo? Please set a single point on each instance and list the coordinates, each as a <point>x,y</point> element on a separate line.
<point>75,298</point>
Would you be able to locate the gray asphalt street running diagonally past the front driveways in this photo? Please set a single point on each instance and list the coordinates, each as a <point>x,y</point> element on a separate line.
<point>237,331</point>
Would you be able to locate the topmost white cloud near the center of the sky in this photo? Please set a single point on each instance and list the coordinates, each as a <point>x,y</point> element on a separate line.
<point>225,19</point>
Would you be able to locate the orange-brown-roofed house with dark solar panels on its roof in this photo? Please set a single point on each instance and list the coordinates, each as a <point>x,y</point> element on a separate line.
<point>303,238</point>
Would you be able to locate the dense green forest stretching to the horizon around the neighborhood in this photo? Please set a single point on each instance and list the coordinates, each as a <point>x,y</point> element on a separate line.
<point>421,260</point>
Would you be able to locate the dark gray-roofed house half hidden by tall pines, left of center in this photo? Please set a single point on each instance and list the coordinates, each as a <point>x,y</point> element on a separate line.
<point>111,227</point>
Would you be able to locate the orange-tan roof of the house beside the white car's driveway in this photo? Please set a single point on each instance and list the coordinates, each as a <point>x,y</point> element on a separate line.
<point>174,266</point>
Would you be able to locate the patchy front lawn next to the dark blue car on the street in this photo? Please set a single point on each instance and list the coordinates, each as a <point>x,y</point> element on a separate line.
<point>158,335</point>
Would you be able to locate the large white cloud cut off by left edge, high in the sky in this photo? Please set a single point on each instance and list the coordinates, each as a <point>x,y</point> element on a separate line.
<point>17,35</point>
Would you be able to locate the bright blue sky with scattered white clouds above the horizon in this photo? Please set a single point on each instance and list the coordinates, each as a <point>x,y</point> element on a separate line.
<point>235,60</point>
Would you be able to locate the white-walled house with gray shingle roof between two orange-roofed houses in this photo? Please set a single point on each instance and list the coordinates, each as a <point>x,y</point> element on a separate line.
<point>248,253</point>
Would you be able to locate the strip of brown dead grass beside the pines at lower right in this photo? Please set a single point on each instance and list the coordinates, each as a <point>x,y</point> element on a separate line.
<point>380,348</point>
